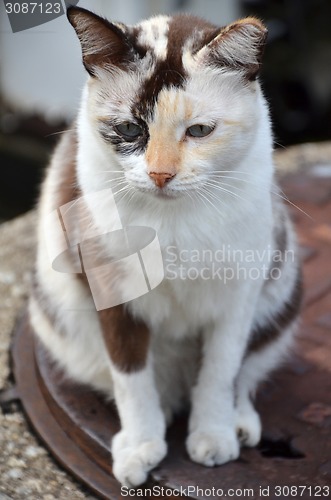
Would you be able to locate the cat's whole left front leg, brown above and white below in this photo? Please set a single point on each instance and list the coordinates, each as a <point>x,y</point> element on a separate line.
<point>140,445</point>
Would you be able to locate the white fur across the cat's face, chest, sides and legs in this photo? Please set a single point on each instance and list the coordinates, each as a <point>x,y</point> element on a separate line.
<point>179,309</point>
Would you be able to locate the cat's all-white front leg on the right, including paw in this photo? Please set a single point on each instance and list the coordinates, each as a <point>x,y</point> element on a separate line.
<point>212,438</point>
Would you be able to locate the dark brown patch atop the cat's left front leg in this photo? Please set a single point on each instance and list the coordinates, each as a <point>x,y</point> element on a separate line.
<point>126,339</point>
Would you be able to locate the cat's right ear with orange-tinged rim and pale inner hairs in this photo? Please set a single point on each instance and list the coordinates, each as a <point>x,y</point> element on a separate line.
<point>239,45</point>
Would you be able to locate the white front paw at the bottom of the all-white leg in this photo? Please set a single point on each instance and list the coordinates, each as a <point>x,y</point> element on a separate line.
<point>211,449</point>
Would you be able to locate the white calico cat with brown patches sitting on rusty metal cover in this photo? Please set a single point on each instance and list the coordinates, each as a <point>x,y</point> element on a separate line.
<point>174,126</point>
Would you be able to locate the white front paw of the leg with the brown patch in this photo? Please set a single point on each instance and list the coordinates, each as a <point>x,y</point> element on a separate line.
<point>132,463</point>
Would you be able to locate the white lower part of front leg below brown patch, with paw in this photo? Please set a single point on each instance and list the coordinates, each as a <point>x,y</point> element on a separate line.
<point>140,445</point>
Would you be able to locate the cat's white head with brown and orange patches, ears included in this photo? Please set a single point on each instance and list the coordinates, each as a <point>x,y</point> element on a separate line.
<point>171,100</point>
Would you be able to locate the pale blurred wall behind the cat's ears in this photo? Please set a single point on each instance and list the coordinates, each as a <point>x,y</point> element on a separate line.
<point>41,69</point>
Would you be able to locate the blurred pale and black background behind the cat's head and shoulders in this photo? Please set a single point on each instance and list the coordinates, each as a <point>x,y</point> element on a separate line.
<point>41,78</point>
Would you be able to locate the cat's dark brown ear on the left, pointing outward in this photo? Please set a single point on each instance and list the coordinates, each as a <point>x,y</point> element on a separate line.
<point>103,43</point>
